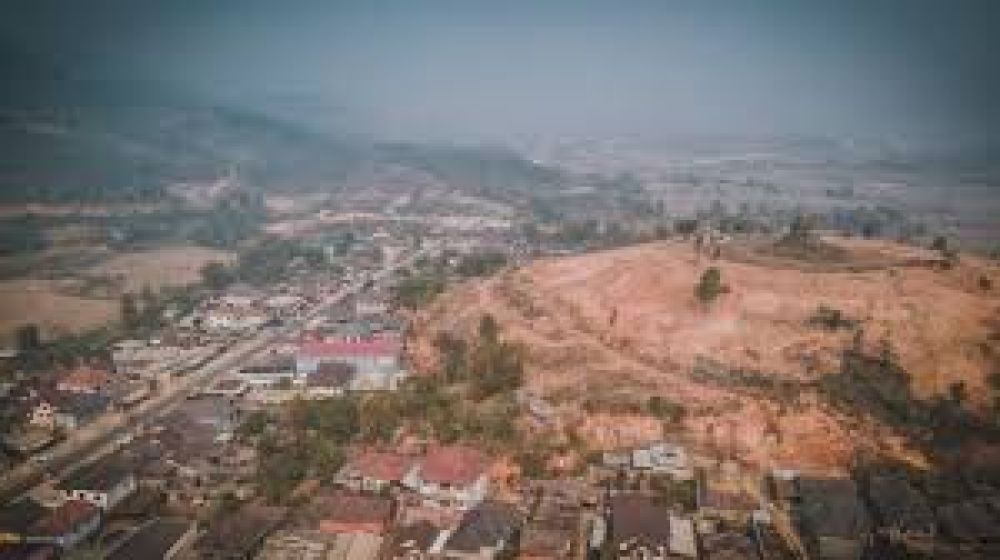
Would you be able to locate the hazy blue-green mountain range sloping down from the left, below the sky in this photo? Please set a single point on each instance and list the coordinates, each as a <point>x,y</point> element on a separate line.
<point>66,140</point>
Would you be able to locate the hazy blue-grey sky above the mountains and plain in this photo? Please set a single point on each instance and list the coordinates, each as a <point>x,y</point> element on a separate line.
<point>468,70</point>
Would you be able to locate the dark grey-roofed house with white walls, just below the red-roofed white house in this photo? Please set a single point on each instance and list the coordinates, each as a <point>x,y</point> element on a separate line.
<point>486,531</point>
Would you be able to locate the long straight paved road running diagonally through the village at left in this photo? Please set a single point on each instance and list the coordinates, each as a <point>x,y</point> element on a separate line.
<point>93,441</point>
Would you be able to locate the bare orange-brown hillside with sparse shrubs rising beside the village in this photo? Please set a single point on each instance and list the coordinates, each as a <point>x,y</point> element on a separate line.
<point>625,323</point>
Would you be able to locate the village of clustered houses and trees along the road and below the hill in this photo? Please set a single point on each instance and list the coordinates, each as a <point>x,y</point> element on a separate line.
<point>265,423</point>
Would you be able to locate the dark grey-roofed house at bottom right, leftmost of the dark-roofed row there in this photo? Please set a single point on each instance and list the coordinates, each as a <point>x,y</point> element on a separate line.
<point>833,521</point>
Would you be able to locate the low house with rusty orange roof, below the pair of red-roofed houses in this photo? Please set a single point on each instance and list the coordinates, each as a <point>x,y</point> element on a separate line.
<point>345,512</point>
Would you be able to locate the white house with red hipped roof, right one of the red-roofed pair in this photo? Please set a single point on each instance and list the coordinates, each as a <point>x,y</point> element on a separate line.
<point>451,476</point>
